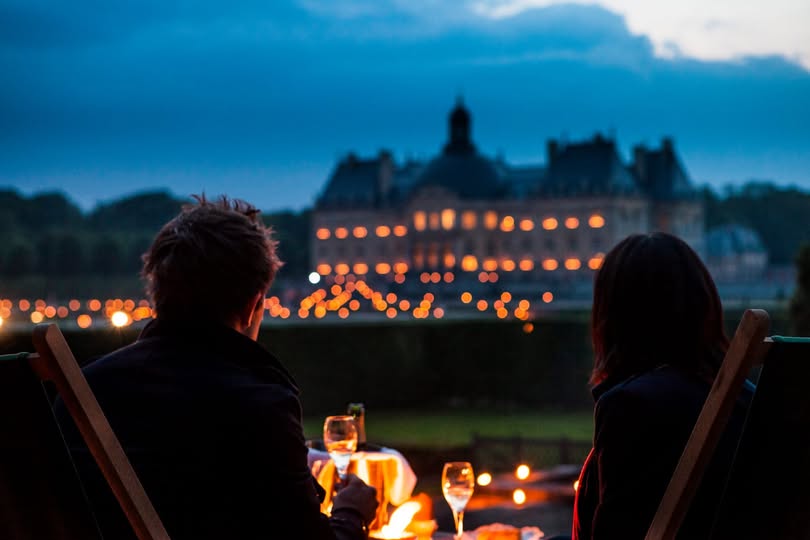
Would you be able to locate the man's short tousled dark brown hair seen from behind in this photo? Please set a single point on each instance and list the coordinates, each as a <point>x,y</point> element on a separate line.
<point>210,261</point>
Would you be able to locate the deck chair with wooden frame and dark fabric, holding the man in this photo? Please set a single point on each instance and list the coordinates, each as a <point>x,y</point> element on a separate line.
<point>40,492</point>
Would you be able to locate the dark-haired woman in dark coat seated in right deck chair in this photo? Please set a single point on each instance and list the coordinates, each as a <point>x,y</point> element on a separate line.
<point>658,339</point>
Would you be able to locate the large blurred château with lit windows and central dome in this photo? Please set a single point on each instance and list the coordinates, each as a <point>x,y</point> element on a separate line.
<point>464,217</point>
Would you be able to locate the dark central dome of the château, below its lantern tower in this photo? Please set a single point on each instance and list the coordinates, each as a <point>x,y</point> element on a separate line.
<point>470,176</point>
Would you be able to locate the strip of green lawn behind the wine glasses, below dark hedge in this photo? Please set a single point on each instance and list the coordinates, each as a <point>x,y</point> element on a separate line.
<point>452,428</point>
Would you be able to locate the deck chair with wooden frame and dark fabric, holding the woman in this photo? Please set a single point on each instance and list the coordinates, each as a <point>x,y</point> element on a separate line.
<point>766,495</point>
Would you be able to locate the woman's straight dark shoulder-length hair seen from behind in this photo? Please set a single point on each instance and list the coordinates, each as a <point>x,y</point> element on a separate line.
<point>654,303</point>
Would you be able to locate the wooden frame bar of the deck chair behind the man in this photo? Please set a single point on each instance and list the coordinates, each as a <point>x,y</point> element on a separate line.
<point>55,362</point>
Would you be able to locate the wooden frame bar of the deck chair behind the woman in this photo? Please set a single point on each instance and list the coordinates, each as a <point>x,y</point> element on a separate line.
<point>747,349</point>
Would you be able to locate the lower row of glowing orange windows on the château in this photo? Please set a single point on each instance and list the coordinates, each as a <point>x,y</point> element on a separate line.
<point>469,263</point>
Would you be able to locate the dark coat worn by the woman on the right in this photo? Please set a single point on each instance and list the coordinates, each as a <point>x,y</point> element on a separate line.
<point>641,426</point>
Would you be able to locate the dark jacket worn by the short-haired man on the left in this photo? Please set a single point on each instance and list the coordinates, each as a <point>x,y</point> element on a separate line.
<point>211,423</point>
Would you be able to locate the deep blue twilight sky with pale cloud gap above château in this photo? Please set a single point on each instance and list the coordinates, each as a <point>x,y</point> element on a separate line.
<point>258,99</point>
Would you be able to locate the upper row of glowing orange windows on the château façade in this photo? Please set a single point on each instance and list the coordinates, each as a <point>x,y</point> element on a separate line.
<point>447,220</point>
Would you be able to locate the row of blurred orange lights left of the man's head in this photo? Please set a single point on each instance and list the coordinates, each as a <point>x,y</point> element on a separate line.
<point>119,312</point>
